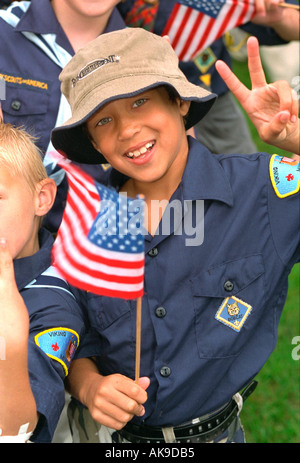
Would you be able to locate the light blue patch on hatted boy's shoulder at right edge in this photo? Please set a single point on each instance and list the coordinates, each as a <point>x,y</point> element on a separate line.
<point>285,175</point>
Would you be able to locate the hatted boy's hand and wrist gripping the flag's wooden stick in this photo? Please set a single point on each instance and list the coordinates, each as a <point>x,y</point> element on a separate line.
<point>112,400</point>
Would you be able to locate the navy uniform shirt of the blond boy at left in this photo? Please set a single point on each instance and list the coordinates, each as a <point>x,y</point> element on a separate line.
<point>54,314</point>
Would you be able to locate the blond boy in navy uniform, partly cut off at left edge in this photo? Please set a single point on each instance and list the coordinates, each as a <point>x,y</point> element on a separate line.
<point>40,319</point>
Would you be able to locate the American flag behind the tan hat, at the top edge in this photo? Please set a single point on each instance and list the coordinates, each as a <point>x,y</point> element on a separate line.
<point>195,24</point>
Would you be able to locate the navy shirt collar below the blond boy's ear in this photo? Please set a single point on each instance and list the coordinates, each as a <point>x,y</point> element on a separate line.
<point>29,268</point>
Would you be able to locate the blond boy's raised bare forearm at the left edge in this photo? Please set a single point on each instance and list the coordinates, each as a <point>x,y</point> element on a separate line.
<point>17,404</point>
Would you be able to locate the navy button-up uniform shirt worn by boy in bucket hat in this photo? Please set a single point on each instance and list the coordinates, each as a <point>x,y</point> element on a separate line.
<point>210,311</point>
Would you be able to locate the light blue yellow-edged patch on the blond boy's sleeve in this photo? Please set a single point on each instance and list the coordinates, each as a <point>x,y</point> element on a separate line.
<point>59,344</point>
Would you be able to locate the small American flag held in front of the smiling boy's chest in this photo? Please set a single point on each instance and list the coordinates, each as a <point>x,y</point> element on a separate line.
<point>100,243</point>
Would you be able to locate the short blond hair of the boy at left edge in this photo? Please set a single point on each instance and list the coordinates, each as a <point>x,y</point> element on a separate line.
<point>20,155</point>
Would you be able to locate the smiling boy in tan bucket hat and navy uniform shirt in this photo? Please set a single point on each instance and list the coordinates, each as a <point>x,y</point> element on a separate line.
<point>211,310</point>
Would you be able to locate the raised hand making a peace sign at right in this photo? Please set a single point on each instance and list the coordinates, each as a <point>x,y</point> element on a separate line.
<point>273,108</point>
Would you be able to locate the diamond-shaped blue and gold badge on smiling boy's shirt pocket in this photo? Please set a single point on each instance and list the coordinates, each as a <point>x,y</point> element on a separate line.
<point>233,312</point>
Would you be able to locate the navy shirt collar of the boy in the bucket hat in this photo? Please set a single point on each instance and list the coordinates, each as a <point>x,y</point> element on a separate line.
<point>203,178</point>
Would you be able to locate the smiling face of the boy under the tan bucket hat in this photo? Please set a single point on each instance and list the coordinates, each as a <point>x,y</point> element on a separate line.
<point>143,136</point>
